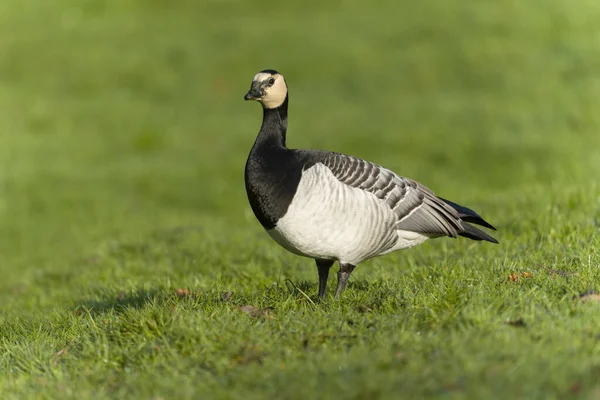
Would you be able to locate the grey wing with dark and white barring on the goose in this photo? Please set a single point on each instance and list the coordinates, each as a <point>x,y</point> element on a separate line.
<point>417,208</point>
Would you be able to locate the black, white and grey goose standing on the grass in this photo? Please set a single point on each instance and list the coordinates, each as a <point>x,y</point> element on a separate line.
<point>335,207</point>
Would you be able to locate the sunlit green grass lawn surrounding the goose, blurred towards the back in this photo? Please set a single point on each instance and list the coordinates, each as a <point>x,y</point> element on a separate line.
<point>123,136</point>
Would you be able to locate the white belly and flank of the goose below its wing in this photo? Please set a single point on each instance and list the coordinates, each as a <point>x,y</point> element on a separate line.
<point>330,220</point>
